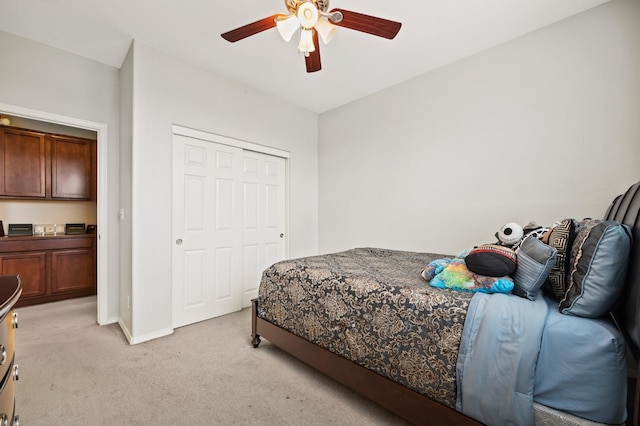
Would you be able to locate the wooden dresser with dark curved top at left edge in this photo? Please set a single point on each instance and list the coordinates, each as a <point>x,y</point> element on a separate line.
<point>10,289</point>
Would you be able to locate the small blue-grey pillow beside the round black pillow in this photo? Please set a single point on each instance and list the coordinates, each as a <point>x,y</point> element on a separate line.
<point>535,260</point>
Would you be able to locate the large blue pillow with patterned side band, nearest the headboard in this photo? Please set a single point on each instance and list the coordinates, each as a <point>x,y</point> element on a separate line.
<point>598,267</point>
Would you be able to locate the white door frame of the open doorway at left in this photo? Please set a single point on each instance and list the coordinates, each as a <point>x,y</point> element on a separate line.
<point>101,129</point>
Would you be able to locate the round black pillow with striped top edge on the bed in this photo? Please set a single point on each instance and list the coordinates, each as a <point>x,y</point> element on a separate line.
<point>492,260</point>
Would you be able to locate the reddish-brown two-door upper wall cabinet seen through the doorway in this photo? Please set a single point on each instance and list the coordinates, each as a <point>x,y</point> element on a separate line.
<point>46,166</point>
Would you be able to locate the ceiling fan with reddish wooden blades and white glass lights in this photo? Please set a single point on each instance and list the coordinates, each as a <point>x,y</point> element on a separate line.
<point>310,18</point>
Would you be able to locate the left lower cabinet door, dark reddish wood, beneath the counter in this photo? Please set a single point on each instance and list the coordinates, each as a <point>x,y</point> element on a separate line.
<point>31,268</point>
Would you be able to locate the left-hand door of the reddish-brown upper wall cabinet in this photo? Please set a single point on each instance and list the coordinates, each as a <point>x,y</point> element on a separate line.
<point>23,160</point>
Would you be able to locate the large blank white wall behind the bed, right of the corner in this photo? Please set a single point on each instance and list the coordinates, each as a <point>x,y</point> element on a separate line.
<point>541,128</point>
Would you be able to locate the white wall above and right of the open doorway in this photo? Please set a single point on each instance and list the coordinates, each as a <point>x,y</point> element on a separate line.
<point>43,79</point>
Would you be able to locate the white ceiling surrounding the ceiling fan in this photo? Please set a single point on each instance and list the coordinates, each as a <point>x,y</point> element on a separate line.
<point>434,33</point>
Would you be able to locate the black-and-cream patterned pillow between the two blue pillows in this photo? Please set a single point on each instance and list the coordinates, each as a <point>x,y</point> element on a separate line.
<point>560,237</point>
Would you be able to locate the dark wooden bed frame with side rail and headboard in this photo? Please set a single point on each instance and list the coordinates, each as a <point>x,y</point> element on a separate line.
<point>418,408</point>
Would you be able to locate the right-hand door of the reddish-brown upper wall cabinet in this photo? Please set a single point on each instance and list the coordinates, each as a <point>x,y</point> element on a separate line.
<point>70,168</point>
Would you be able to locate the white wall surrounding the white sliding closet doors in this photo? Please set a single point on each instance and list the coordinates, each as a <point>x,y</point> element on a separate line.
<point>169,91</point>
